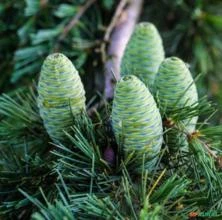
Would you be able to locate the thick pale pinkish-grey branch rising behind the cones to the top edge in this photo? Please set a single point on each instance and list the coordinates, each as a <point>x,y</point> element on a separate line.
<point>122,26</point>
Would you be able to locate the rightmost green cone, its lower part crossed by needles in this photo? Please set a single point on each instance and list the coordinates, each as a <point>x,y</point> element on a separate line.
<point>176,89</point>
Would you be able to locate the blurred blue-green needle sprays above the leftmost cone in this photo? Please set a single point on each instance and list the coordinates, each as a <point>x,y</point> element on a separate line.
<point>40,41</point>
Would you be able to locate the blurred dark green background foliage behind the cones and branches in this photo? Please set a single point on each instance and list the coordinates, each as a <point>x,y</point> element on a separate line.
<point>31,29</point>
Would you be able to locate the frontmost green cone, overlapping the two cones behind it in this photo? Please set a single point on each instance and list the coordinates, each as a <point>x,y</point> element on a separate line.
<point>136,119</point>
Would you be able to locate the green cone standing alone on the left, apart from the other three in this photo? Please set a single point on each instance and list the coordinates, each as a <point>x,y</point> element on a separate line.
<point>61,95</point>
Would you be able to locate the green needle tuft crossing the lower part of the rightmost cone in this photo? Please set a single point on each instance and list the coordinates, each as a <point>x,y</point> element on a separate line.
<point>175,130</point>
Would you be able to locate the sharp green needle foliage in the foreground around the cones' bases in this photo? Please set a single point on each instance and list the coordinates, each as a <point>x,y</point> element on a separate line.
<point>79,183</point>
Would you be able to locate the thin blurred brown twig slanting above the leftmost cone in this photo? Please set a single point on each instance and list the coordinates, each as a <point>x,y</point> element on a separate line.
<point>74,21</point>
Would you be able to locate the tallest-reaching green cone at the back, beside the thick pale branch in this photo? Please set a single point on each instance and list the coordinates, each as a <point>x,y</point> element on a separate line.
<point>143,54</point>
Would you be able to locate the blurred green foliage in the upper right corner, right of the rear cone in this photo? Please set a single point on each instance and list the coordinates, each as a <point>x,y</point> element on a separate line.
<point>187,23</point>
